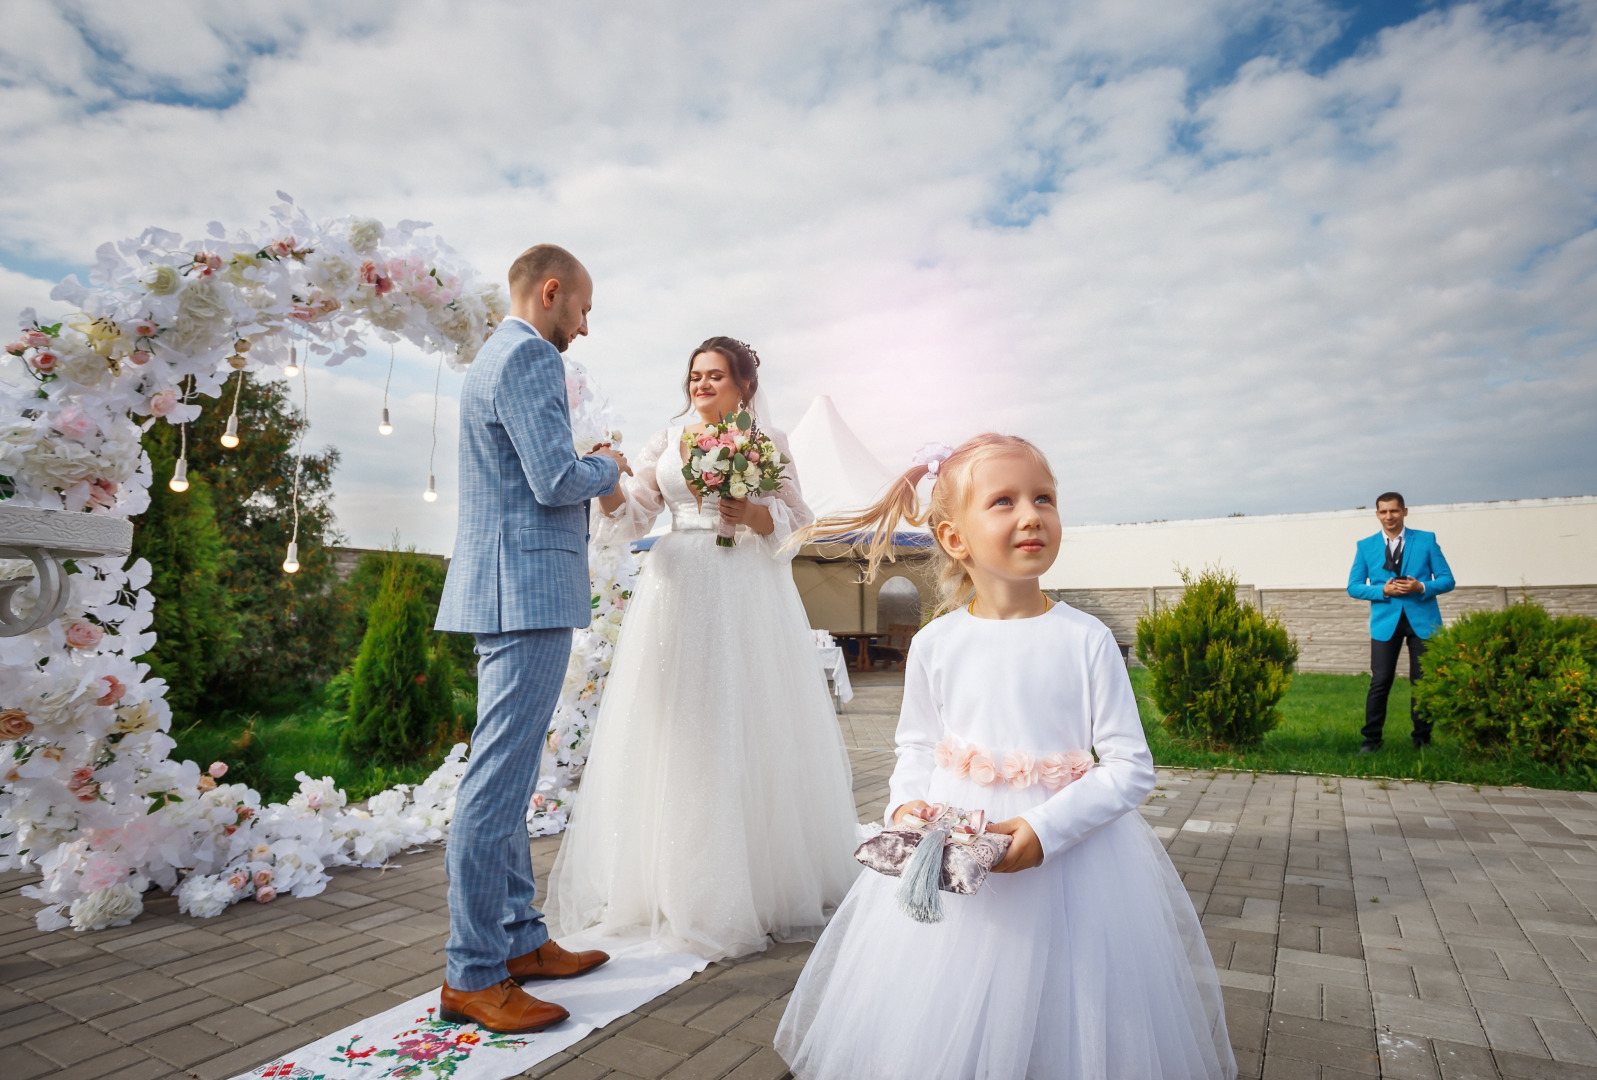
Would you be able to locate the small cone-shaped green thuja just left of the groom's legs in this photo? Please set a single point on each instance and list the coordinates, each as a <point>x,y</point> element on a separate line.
<point>402,693</point>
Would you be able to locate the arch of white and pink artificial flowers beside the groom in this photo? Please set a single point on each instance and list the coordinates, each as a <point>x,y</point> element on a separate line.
<point>89,790</point>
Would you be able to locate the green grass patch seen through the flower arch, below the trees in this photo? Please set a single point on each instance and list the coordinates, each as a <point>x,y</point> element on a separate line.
<point>266,752</point>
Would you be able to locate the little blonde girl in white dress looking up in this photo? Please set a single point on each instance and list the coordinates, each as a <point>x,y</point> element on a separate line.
<point>1082,955</point>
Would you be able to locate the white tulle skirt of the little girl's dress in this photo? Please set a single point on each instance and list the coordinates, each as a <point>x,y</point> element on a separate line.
<point>1090,967</point>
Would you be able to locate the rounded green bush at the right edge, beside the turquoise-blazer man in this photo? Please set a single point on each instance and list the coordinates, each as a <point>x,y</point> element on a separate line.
<point>1518,681</point>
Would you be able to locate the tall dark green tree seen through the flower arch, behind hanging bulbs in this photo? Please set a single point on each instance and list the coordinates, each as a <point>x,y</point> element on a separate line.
<point>285,621</point>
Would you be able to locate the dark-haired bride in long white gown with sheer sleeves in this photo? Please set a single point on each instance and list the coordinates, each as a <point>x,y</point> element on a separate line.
<point>716,808</point>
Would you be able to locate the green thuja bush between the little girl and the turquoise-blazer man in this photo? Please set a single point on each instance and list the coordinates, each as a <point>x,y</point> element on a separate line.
<point>1219,667</point>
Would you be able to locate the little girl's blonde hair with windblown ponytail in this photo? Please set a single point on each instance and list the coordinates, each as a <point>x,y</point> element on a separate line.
<point>949,499</point>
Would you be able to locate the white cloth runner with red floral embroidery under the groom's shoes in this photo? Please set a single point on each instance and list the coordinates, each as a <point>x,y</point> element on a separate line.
<point>411,1042</point>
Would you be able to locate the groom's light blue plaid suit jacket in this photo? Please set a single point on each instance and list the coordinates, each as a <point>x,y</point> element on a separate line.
<point>521,542</point>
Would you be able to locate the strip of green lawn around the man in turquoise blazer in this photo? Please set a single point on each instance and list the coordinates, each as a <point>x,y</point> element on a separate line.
<point>1320,734</point>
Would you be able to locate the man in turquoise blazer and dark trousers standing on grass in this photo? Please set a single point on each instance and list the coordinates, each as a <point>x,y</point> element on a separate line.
<point>1401,573</point>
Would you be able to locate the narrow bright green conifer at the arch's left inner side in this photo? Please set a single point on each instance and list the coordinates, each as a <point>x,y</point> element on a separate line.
<point>196,624</point>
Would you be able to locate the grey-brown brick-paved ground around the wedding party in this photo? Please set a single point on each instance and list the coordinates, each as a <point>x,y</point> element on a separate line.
<point>1361,929</point>
